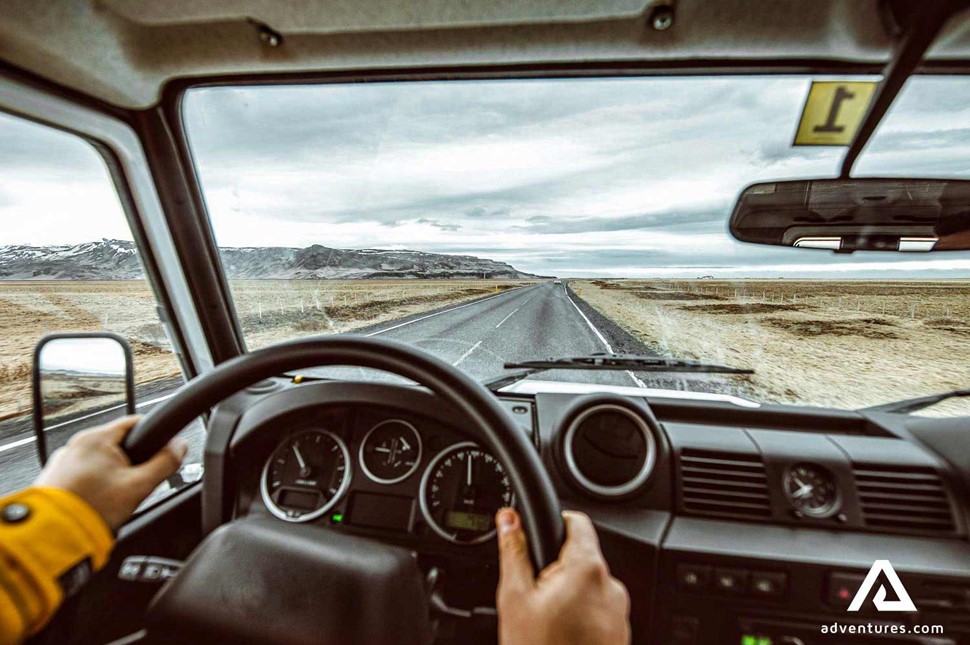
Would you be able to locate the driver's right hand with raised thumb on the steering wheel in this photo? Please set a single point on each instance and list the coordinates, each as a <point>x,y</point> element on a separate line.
<point>574,600</point>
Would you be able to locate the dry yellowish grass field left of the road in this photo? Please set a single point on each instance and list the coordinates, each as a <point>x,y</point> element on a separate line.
<point>269,311</point>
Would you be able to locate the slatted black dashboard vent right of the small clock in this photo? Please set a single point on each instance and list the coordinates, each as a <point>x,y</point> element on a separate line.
<point>911,501</point>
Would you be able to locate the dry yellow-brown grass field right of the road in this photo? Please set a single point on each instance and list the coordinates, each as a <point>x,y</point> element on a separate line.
<point>841,344</point>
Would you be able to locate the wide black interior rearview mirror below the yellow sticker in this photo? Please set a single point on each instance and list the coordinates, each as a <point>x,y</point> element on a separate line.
<point>846,215</point>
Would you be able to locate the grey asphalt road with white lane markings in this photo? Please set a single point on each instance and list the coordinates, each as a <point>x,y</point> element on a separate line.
<point>534,322</point>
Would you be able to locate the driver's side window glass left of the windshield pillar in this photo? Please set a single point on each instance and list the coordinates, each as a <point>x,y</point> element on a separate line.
<point>68,263</point>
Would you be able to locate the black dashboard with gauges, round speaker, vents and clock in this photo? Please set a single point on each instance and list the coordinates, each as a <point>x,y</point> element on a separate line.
<point>726,523</point>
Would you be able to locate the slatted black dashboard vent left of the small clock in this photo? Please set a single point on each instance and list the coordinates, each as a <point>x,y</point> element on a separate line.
<point>724,484</point>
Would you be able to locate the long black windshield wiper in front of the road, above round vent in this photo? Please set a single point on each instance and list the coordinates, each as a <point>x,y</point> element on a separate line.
<point>610,362</point>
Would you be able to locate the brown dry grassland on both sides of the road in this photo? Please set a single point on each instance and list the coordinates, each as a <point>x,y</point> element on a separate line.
<point>831,343</point>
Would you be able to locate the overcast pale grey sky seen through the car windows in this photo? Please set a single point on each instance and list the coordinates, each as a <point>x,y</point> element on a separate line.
<point>632,177</point>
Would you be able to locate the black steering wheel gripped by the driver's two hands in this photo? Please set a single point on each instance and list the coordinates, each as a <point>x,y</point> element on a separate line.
<point>491,426</point>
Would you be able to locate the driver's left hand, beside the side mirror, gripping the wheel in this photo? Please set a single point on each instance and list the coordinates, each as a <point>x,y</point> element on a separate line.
<point>94,467</point>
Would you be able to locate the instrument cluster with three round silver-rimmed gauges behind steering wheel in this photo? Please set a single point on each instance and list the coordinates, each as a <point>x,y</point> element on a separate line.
<point>394,473</point>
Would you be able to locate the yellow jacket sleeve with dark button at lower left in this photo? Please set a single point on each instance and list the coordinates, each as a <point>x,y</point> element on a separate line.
<point>51,541</point>
